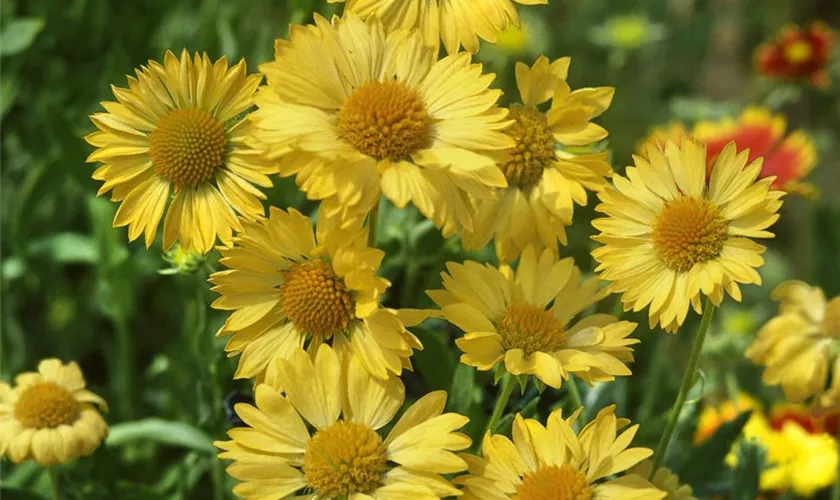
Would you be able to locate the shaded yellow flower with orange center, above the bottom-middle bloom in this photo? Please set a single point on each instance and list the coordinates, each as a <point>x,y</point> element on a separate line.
<point>289,288</point>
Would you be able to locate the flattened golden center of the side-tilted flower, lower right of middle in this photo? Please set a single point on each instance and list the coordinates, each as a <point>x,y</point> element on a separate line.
<point>531,329</point>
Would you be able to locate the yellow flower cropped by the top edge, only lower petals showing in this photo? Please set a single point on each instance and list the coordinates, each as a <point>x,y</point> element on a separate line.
<point>457,22</point>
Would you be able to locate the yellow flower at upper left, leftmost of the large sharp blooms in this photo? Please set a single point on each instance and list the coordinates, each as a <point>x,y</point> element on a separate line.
<point>178,128</point>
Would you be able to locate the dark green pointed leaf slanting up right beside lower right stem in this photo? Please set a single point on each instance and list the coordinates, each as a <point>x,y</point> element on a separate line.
<point>711,453</point>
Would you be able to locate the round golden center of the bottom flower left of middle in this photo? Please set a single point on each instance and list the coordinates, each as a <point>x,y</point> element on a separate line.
<point>343,459</point>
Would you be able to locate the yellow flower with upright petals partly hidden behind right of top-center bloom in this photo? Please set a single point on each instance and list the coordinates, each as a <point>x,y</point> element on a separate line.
<point>544,183</point>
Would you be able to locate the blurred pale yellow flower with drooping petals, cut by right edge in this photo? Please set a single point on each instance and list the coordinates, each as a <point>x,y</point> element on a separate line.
<point>797,346</point>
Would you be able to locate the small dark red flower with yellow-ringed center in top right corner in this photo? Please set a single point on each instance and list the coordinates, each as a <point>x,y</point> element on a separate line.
<point>798,54</point>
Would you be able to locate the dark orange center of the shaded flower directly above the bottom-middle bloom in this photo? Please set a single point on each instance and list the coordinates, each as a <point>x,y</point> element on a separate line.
<point>316,300</point>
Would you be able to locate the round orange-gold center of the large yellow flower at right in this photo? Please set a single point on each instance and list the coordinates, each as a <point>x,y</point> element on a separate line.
<point>688,231</point>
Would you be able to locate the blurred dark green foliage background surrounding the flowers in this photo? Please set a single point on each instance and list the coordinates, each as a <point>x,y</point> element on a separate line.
<point>72,287</point>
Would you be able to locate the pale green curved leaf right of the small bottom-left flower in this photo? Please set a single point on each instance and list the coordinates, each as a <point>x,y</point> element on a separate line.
<point>160,431</point>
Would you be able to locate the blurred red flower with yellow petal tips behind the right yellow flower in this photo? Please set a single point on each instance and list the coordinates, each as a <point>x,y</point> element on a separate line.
<point>788,158</point>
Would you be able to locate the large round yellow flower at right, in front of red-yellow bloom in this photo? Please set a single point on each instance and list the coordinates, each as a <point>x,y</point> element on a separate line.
<point>670,236</point>
